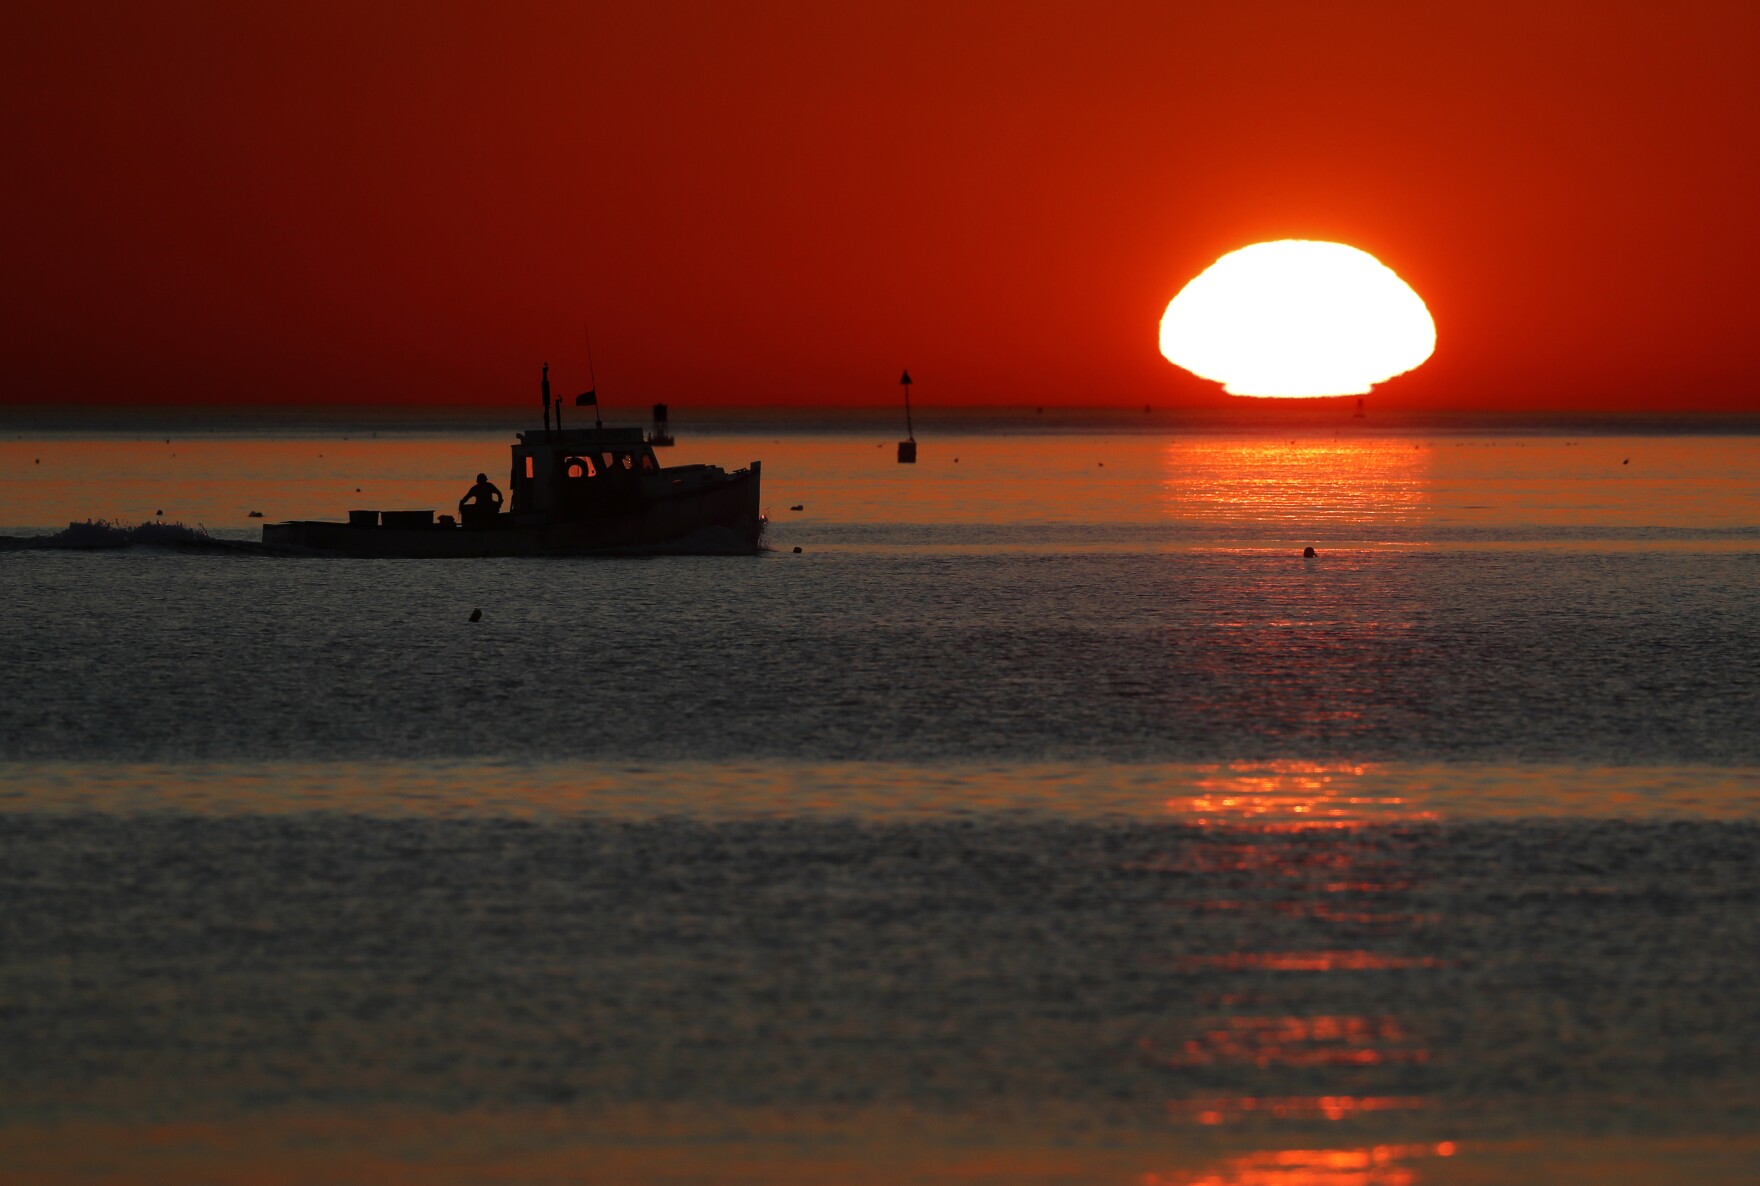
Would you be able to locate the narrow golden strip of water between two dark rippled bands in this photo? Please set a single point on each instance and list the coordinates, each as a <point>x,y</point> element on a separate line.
<point>1289,794</point>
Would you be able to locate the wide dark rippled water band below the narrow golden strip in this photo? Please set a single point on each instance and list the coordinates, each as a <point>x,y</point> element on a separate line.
<point>1585,977</point>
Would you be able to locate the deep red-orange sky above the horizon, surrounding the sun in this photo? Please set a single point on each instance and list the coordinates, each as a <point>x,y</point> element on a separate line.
<point>786,203</point>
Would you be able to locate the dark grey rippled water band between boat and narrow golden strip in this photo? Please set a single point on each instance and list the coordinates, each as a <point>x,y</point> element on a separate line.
<point>1430,655</point>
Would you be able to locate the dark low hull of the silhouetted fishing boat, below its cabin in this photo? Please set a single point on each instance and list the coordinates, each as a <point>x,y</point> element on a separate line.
<point>714,520</point>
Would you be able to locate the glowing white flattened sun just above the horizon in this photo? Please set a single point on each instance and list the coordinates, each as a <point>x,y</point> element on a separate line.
<point>1298,318</point>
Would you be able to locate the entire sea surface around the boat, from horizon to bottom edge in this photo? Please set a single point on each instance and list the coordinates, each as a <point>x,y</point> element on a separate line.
<point>1046,819</point>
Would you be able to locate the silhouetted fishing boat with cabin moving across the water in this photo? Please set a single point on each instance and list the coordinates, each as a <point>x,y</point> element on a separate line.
<point>573,494</point>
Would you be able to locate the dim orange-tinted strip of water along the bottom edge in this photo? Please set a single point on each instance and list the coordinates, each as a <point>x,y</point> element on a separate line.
<point>647,1146</point>
